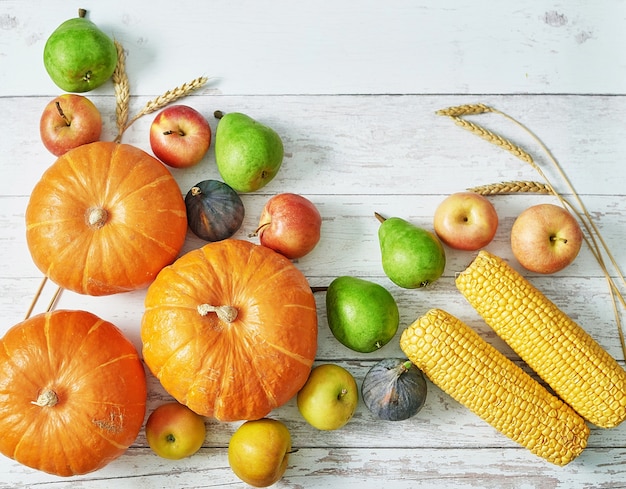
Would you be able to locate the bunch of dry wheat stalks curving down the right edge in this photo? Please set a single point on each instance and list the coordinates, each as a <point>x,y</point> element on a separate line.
<point>594,236</point>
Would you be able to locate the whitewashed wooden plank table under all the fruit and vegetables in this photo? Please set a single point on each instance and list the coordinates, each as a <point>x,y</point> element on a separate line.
<point>352,87</point>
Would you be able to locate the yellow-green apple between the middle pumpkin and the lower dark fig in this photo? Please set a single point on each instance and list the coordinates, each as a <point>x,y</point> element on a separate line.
<point>329,397</point>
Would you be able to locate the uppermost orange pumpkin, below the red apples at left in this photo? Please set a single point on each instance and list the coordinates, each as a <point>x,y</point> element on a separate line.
<point>105,218</point>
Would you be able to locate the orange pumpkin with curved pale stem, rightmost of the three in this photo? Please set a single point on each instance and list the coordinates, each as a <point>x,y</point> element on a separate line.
<point>230,330</point>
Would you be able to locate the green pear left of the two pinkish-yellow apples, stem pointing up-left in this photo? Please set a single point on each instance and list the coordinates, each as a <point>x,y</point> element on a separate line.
<point>412,257</point>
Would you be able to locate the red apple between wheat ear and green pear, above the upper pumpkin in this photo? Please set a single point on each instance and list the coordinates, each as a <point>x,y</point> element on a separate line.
<point>180,136</point>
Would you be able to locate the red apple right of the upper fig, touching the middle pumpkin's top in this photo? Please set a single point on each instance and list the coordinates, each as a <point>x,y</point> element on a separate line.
<point>290,224</point>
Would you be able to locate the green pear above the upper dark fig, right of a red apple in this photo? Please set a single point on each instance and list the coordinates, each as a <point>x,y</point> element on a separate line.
<point>248,154</point>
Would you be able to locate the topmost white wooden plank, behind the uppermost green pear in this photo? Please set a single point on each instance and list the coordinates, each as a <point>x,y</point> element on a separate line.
<point>282,47</point>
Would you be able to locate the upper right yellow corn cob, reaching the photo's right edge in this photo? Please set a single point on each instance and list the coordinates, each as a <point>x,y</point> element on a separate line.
<point>577,368</point>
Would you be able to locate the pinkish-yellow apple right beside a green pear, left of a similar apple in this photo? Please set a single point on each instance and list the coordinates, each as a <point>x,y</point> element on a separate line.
<point>466,221</point>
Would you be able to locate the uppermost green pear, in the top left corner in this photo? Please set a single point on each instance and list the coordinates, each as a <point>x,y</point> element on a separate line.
<point>78,56</point>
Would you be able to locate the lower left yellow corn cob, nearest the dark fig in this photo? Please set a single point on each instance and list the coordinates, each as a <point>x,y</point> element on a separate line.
<point>456,359</point>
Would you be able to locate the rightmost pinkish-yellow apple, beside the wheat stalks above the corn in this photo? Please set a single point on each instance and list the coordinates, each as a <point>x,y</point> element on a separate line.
<point>545,238</point>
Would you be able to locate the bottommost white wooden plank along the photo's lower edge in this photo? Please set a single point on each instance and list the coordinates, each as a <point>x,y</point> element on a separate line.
<point>329,468</point>
